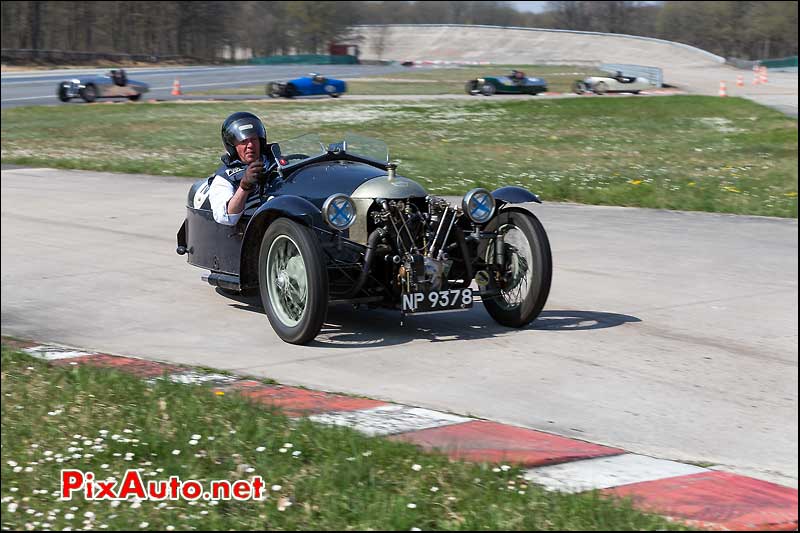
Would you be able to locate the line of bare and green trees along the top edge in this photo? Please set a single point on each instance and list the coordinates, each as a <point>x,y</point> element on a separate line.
<point>200,29</point>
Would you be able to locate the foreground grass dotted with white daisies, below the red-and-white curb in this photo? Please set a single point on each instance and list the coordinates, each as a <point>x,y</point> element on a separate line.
<point>320,477</point>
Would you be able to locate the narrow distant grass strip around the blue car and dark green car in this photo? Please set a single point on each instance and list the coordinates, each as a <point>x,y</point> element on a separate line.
<point>440,80</point>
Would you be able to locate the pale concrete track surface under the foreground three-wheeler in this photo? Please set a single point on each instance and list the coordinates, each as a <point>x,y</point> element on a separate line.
<point>666,333</point>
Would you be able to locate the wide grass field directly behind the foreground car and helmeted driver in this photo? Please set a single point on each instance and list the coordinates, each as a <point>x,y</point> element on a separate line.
<point>679,152</point>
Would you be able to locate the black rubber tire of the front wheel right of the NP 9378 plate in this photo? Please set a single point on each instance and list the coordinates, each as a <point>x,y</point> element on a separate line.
<point>525,311</point>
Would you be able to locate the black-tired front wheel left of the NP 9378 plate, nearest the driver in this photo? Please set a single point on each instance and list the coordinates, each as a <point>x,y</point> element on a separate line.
<point>310,320</point>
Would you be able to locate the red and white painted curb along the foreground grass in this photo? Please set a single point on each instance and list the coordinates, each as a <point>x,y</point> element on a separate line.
<point>691,494</point>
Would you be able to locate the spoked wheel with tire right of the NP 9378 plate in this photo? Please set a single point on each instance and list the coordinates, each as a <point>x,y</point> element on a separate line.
<point>524,288</point>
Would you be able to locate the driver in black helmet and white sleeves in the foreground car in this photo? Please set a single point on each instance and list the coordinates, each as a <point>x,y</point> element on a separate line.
<point>234,185</point>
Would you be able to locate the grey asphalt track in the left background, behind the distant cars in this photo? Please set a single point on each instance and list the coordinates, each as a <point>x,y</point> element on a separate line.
<point>37,88</point>
